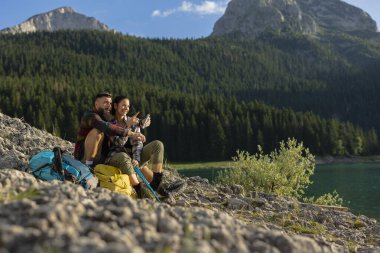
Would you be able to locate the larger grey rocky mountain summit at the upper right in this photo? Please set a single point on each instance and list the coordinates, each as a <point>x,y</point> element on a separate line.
<point>253,17</point>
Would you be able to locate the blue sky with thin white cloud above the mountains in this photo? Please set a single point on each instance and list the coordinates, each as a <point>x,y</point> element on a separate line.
<point>146,18</point>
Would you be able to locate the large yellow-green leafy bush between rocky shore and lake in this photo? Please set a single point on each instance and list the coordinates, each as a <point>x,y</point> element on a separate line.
<point>284,172</point>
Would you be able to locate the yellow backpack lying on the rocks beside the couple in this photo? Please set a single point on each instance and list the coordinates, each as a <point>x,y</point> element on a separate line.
<point>113,179</point>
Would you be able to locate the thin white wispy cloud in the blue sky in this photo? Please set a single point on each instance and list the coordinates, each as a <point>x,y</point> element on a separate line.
<point>205,8</point>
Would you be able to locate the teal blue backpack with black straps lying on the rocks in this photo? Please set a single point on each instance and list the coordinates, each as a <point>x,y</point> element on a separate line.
<point>53,165</point>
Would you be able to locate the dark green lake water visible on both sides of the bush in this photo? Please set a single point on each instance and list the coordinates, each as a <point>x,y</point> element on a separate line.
<point>358,184</point>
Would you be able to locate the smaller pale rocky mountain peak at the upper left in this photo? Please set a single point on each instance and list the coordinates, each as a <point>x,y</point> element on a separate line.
<point>64,18</point>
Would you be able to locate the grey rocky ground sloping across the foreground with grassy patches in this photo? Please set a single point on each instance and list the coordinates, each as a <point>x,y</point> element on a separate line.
<point>37,216</point>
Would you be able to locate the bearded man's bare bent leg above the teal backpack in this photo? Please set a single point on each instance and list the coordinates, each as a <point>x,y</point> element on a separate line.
<point>93,146</point>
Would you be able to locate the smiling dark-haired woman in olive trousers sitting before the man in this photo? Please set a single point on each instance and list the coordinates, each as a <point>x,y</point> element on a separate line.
<point>120,156</point>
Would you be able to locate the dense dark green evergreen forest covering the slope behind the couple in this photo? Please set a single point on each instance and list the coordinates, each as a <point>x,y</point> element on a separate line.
<point>207,97</point>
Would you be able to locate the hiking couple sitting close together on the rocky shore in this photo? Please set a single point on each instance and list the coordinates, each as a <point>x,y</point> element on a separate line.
<point>107,135</point>
